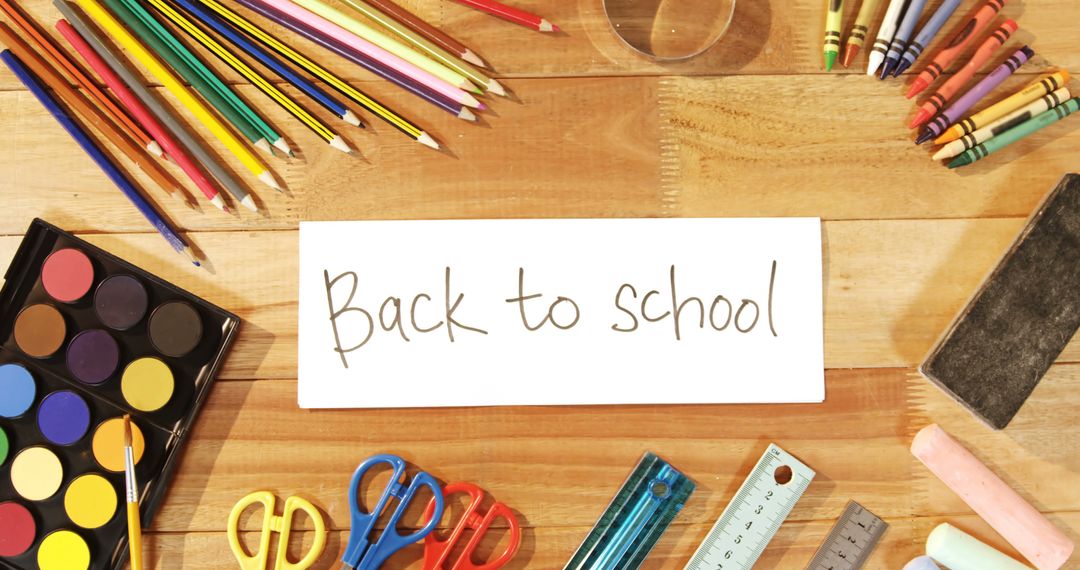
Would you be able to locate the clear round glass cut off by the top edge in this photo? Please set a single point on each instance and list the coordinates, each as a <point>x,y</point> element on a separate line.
<point>670,31</point>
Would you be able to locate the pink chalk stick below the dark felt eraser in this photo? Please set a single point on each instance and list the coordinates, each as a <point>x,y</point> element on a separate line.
<point>1033,535</point>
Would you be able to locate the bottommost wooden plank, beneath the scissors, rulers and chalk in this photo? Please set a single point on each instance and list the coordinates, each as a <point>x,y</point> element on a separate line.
<point>551,547</point>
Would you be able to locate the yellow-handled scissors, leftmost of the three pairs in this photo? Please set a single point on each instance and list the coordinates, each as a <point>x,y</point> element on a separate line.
<point>282,525</point>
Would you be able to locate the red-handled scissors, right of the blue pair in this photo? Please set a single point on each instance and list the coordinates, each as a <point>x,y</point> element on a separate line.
<point>437,552</point>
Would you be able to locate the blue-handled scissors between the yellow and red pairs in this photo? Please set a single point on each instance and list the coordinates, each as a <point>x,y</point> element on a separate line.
<point>361,554</point>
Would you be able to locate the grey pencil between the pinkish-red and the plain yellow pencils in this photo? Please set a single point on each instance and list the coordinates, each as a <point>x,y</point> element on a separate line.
<point>178,129</point>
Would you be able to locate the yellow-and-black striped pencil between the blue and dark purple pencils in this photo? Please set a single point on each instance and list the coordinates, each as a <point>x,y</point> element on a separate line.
<point>319,72</point>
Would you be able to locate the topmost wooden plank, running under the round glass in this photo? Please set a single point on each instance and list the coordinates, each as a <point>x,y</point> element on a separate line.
<point>767,37</point>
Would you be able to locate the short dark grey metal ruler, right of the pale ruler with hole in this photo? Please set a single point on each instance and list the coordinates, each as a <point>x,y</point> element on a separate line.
<point>852,541</point>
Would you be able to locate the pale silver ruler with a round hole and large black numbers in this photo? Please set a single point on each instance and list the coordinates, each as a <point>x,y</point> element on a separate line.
<point>755,513</point>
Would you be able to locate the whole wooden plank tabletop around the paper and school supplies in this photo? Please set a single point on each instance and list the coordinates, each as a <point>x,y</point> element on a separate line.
<point>754,128</point>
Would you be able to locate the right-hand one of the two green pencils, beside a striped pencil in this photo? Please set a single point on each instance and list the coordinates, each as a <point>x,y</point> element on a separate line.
<point>198,69</point>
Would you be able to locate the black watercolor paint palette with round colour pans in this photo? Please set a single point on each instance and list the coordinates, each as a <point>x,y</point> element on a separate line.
<point>88,338</point>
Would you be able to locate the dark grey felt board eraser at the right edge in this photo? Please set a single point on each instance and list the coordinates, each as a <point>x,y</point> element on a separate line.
<point>1003,344</point>
